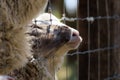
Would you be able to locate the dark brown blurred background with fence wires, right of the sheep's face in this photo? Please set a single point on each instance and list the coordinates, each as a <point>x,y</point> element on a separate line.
<point>98,57</point>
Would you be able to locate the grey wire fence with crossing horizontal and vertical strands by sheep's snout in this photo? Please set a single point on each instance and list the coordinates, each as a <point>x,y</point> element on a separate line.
<point>90,20</point>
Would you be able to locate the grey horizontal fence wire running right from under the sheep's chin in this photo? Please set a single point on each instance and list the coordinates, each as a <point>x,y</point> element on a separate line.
<point>94,50</point>
